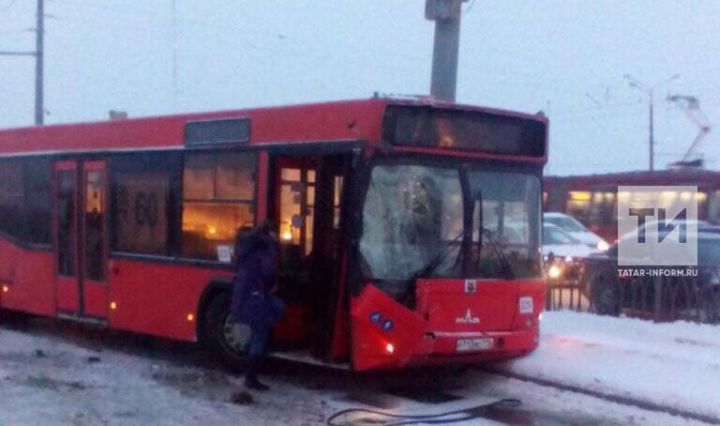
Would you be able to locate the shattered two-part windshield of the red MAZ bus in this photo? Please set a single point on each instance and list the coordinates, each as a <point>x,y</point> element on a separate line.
<point>413,220</point>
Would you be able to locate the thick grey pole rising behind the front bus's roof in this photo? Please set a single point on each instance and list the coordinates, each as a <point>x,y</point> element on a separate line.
<point>446,14</point>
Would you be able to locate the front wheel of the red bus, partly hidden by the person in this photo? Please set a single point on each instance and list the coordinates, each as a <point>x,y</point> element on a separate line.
<point>218,333</point>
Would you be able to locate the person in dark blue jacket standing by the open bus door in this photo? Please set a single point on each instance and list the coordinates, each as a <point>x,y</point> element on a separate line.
<point>253,301</point>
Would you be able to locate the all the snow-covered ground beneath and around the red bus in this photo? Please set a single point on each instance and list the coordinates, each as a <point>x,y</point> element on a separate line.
<point>52,375</point>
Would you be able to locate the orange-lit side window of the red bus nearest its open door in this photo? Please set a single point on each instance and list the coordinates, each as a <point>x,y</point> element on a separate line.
<point>218,198</point>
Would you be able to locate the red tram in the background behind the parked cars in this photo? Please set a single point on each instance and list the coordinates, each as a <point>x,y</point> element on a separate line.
<point>592,199</point>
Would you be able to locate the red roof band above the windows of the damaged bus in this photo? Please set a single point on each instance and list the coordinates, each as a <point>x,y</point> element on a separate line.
<point>331,121</point>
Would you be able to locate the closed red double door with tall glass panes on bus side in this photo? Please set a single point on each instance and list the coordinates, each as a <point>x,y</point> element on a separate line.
<point>80,203</point>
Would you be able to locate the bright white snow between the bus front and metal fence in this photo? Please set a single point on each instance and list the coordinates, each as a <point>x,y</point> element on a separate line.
<point>675,364</point>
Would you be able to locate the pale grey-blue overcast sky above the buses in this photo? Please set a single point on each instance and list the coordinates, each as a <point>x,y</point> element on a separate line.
<point>561,56</point>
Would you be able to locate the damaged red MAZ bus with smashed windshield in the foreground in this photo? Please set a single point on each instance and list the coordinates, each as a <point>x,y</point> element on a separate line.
<point>409,230</point>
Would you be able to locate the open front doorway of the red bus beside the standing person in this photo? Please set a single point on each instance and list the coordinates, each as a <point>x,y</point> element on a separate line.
<point>307,211</point>
